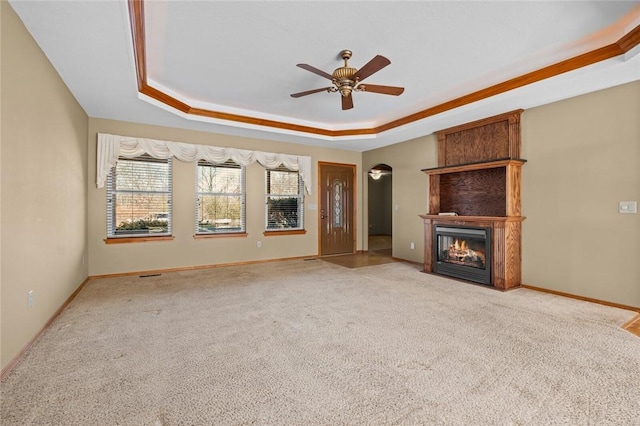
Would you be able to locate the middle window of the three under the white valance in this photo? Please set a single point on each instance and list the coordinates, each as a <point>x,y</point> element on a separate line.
<point>220,198</point>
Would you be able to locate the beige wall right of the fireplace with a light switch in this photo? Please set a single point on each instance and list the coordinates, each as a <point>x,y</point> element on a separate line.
<point>583,159</point>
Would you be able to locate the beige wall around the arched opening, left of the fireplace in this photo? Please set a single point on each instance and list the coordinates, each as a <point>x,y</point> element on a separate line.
<point>410,191</point>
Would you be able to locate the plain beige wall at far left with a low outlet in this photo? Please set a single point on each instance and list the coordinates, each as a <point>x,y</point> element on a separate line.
<point>43,174</point>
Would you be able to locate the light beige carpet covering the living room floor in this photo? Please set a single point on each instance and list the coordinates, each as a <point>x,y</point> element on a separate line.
<point>308,342</point>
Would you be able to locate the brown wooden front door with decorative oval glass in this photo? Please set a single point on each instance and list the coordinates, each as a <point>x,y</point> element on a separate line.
<point>337,208</point>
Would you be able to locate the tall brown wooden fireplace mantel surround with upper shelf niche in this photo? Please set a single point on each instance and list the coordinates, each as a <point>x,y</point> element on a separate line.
<point>478,179</point>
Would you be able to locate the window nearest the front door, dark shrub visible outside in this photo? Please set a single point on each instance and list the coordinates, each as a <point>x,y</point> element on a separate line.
<point>284,200</point>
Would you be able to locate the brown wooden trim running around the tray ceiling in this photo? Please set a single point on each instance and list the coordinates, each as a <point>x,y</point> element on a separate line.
<point>136,15</point>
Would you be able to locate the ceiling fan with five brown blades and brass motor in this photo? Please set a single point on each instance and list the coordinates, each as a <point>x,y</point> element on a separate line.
<point>347,80</point>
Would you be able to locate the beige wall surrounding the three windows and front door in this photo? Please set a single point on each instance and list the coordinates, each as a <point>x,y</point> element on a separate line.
<point>184,250</point>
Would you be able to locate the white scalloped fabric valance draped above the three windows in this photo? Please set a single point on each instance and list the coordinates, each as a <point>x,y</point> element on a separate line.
<point>110,147</point>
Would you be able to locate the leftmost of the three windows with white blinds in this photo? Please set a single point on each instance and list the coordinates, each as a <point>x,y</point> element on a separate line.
<point>139,197</point>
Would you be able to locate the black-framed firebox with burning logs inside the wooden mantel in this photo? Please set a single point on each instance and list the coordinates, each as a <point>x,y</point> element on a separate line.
<point>463,252</point>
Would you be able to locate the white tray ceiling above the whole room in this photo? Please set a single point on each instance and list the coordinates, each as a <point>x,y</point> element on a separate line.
<point>240,57</point>
